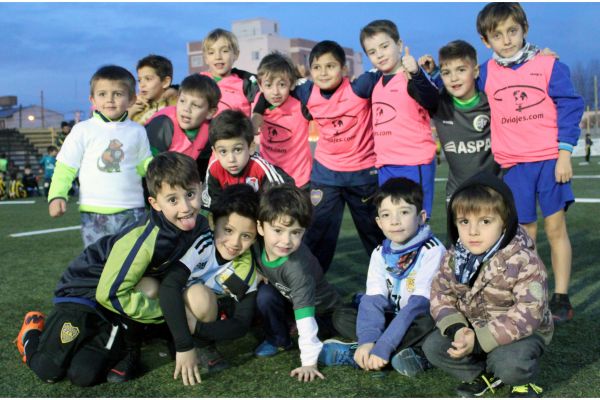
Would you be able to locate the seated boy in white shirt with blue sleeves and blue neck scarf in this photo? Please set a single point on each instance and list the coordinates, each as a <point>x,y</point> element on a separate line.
<point>393,315</point>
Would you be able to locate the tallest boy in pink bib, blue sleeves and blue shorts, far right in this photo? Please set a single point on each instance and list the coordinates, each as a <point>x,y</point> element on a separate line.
<point>535,116</point>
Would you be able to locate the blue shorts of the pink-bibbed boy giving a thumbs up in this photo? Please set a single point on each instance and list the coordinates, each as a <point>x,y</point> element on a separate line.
<point>423,174</point>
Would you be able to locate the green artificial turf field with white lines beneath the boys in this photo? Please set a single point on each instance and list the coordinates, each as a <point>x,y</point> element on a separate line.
<point>31,266</point>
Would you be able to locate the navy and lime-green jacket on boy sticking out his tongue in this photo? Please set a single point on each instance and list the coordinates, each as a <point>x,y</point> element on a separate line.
<point>107,271</point>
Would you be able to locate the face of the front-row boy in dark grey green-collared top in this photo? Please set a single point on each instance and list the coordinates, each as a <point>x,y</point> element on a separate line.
<point>281,239</point>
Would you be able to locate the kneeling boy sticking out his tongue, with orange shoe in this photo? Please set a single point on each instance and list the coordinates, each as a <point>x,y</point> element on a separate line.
<point>96,299</point>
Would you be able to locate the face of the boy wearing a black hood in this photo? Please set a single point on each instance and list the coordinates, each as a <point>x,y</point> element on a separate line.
<point>479,232</point>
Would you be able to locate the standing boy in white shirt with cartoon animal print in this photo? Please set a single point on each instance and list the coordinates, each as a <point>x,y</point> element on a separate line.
<point>109,152</point>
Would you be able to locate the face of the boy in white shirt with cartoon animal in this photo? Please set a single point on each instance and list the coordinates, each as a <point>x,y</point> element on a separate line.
<point>111,98</point>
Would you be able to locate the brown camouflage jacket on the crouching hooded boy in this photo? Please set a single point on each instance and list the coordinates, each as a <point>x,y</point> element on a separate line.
<point>508,300</point>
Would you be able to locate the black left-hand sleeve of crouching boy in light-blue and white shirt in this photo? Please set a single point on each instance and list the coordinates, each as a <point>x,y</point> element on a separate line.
<point>170,295</point>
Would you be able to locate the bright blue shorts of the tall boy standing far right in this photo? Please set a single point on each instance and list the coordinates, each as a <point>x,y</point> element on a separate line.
<point>536,181</point>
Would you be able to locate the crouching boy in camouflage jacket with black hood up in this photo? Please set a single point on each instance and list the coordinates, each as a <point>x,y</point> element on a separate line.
<point>490,297</point>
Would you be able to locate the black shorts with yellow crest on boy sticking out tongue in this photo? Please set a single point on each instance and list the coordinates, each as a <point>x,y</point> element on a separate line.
<point>76,334</point>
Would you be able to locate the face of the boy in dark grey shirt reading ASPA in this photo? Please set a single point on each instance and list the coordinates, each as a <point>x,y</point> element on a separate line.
<point>459,77</point>
